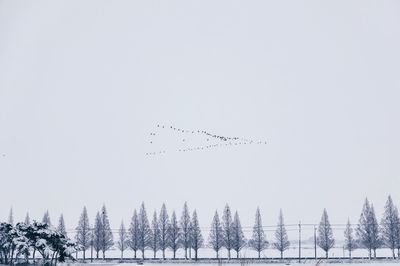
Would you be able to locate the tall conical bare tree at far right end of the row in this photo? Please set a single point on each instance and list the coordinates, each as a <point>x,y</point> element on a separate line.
<point>390,225</point>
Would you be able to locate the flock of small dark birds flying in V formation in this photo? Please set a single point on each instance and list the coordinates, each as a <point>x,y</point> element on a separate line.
<point>207,140</point>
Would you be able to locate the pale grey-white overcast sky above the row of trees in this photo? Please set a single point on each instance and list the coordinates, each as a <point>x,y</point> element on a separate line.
<point>83,84</point>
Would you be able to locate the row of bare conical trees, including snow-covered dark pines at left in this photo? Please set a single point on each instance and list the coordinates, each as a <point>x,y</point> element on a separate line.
<point>167,232</point>
